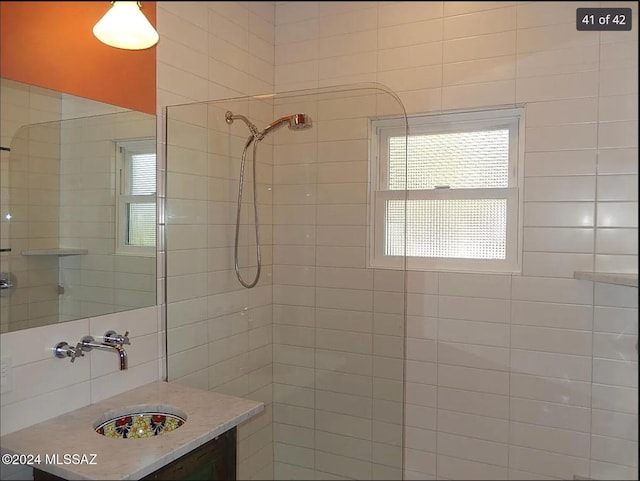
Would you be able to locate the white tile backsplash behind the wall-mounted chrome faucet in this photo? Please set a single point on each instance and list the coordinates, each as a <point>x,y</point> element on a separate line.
<point>64,386</point>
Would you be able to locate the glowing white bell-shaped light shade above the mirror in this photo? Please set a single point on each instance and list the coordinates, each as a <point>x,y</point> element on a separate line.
<point>125,26</point>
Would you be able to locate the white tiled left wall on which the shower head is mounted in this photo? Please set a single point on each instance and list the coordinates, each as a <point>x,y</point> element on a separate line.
<point>219,334</point>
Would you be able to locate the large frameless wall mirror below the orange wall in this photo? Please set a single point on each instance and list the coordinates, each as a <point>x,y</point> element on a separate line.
<point>77,206</point>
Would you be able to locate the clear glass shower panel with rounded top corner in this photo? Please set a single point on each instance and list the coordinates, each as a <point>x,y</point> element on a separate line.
<point>320,339</point>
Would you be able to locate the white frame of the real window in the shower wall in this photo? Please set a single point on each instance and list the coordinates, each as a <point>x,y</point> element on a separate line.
<point>382,129</point>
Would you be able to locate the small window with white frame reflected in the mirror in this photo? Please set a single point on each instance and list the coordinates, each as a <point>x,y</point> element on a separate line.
<point>136,187</point>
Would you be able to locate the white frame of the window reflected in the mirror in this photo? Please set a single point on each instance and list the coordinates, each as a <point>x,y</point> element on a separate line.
<point>124,198</point>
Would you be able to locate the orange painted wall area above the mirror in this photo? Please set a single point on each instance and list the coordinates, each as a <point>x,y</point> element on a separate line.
<point>51,45</point>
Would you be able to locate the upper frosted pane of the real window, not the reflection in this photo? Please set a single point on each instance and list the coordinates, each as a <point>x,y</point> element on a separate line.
<point>460,160</point>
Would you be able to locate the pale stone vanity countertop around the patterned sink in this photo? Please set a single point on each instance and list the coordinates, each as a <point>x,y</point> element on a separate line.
<point>209,414</point>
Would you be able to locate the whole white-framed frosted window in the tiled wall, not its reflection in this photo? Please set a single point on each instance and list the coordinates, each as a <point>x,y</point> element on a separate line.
<point>446,194</point>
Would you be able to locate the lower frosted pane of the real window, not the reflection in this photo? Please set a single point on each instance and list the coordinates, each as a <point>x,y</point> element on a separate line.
<point>451,228</point>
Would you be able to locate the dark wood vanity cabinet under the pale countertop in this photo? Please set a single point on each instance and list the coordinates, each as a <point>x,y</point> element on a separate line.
<point>215,460</point>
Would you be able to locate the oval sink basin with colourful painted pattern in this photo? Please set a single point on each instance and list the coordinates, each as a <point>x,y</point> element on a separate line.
<point>138,422</point>
